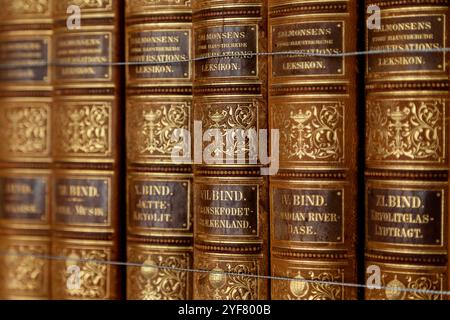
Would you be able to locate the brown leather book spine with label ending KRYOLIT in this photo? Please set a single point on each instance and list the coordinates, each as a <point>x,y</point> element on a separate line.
<point>159,186</point>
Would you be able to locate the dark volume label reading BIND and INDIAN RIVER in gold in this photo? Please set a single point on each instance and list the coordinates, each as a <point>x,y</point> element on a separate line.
<point>308,215</point>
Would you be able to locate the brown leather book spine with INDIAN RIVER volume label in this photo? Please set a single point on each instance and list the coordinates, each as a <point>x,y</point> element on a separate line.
<point>312,102</point>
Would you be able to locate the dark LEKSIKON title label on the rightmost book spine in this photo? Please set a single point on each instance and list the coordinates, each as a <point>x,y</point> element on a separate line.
<point>416,34</point>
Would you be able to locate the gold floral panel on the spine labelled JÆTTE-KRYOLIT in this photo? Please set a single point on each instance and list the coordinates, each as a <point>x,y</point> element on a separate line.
<point>151,126</point>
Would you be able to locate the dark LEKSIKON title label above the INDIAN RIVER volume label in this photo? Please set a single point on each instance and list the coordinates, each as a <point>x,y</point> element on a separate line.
<point>318,42</point>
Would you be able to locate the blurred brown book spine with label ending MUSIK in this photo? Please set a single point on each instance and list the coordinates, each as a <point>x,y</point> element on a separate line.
<point>87,151</point>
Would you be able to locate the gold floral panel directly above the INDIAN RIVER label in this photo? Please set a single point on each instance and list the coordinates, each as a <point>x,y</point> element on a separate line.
<point>316,131</point>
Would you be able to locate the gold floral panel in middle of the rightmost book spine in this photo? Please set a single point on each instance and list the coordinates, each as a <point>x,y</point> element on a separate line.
<point>405,131</point>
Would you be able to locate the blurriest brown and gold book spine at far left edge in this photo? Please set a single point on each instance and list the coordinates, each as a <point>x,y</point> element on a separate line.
<point>25,158</point>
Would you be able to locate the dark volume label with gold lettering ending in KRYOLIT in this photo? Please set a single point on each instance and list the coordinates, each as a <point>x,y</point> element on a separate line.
<point>159,204</point>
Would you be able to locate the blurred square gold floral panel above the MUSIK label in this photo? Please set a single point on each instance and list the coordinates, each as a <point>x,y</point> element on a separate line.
<point>84,128</point>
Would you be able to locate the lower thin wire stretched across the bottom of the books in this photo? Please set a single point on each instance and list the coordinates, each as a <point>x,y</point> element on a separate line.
<point>145,265</point>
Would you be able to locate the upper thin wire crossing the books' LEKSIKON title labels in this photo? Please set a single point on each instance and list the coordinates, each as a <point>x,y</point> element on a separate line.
<point>237,55</point>
